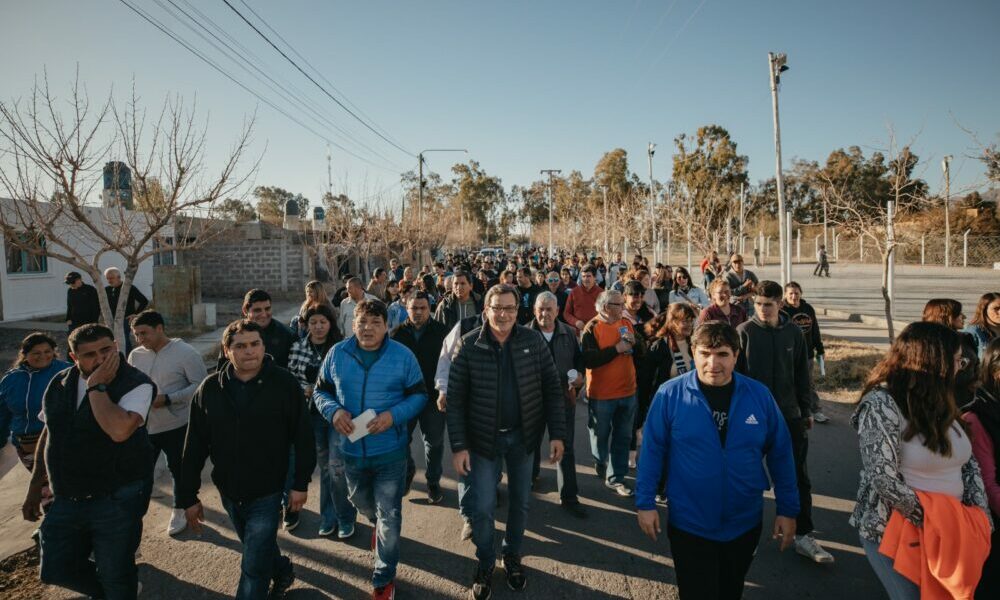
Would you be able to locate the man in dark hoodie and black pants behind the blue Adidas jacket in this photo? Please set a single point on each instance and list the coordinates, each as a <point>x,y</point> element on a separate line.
<point>774,353</point>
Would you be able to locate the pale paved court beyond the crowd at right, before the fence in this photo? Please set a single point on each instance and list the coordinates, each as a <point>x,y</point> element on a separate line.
<point>856,288</point>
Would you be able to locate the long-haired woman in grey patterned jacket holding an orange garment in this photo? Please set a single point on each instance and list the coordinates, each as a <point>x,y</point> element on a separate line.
<point>912,440</point>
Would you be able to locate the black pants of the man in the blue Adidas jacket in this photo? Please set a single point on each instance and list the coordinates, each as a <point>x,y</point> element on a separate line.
<point>710,570</point>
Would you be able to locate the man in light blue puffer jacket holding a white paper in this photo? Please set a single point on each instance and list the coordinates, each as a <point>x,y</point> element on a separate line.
<point>371,371</point>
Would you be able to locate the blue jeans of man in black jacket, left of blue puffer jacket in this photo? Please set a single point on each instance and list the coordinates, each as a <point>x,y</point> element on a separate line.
<point>256,524</point>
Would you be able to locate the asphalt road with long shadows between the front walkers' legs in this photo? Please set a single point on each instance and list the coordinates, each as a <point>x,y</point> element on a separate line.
<point>604,556</point>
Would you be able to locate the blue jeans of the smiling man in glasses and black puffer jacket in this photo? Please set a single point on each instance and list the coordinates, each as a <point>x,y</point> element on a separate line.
<point>484,479</point>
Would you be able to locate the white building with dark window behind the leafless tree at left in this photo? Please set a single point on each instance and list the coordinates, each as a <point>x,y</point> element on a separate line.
<point>33,286</point>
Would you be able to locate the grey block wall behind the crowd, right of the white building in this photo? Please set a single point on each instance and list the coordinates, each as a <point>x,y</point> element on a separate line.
<point>251,256</point>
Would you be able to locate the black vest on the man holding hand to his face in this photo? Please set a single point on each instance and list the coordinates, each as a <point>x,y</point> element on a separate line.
<point>82,459</point>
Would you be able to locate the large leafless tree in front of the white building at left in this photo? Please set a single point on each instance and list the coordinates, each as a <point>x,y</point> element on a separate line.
<point>55,150</point>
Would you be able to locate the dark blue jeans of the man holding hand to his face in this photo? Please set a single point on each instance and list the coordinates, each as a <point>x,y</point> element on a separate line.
<point>110,527</point>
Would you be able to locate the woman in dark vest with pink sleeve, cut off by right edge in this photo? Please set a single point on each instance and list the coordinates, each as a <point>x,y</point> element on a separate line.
<point>983,417</point>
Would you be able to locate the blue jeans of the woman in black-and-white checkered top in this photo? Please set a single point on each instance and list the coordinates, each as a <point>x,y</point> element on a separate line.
<point>334,507</point>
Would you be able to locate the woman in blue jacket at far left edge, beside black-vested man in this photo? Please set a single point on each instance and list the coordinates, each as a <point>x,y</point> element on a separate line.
<point>21,391</point>
